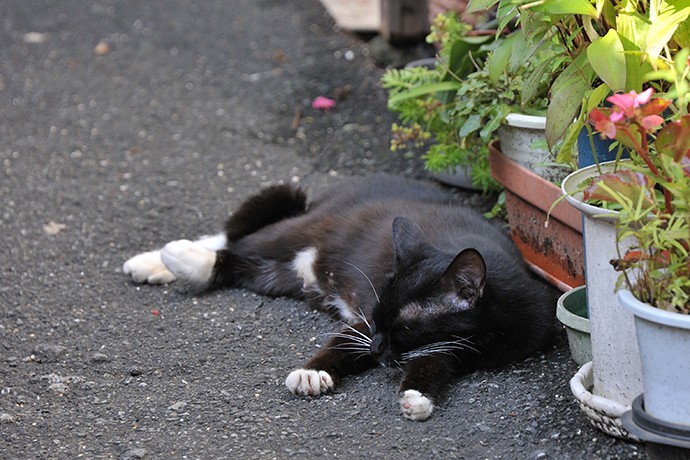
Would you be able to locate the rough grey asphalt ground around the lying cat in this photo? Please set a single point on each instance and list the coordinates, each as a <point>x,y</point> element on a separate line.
<point>106,151</point>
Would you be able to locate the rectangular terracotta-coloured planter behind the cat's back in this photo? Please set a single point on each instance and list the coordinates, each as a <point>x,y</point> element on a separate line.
<point>555,251</point>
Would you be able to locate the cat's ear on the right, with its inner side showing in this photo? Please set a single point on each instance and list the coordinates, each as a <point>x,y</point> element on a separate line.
<point>464,279</point>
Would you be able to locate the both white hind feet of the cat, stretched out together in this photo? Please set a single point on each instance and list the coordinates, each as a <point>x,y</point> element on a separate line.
<point>178,259</point>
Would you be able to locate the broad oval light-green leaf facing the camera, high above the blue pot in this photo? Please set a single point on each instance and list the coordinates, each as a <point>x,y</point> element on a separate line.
<point>607,58</point>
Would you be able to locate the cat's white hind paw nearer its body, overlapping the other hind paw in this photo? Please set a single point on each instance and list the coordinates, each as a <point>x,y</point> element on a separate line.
<point>189,260</point>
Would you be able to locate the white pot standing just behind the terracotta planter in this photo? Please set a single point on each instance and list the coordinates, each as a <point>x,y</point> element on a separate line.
<point>520,137</point>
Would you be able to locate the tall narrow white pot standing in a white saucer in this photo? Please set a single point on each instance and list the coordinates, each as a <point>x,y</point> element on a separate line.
<point>616,369</point>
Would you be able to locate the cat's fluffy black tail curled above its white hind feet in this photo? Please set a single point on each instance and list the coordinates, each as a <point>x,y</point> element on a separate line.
<point>269,206</point>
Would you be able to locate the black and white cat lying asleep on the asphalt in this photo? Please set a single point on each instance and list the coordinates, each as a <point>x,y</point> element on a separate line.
<point>422,283</point>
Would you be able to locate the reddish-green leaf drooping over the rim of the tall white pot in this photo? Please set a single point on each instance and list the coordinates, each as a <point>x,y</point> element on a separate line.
<point>624,183</point>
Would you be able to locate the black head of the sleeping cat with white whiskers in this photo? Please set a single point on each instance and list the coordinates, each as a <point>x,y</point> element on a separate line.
<point>429,304</point>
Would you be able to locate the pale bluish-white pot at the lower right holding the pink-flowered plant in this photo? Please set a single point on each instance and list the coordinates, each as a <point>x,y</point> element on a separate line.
<point>664,344</point>
